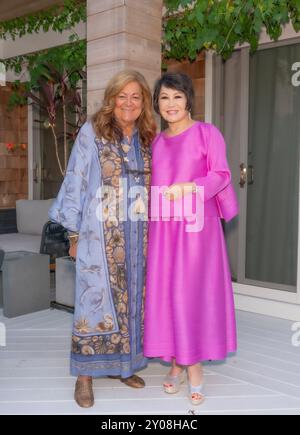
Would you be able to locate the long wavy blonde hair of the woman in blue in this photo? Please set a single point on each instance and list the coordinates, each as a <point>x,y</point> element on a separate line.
<point>104,122</point>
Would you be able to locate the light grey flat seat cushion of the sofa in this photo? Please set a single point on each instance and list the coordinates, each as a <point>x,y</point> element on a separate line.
<point>20,242</point>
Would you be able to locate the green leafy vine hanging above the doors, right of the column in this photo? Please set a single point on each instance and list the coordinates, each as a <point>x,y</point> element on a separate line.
<point>191,26</point>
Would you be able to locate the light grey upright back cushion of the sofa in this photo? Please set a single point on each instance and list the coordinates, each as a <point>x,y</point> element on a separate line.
<point>32,215</point>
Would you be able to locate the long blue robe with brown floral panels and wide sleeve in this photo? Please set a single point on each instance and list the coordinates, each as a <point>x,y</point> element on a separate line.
<point>110,265</point>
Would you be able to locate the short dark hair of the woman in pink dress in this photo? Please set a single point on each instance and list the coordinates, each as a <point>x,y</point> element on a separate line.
<point>178,81</point>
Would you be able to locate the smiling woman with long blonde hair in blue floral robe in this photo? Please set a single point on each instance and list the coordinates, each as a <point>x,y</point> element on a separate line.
<point>110,162</point>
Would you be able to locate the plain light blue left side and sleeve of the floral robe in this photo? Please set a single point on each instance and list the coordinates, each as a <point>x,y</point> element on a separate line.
<point>75,208</point>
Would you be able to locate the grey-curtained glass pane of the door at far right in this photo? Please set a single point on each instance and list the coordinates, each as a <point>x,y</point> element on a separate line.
<point>273,169</point>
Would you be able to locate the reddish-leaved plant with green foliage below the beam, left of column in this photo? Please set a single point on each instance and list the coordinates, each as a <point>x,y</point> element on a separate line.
<point>54,75</point>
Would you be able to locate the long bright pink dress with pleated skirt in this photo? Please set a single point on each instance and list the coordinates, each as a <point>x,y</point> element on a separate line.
<point>189,311</point>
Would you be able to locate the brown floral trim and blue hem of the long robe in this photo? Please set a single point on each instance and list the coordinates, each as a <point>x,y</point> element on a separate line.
<point>111,344</point>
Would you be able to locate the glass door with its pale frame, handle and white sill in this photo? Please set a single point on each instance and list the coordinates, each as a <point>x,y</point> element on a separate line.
<point>259,113</point>
